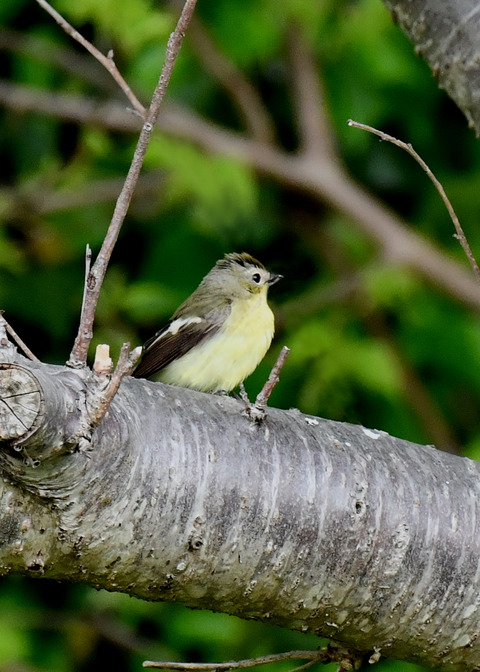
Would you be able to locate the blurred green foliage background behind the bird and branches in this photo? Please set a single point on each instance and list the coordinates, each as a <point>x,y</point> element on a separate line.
<point>371,343</point>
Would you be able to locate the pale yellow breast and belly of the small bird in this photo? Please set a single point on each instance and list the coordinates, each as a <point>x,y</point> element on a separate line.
<point>223,361</point>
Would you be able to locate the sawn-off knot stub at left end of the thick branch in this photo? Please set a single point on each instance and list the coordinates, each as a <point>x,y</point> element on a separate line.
<point>41,418</point>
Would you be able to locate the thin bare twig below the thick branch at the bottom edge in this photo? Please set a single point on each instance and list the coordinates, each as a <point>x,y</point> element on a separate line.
<point>322,655</point>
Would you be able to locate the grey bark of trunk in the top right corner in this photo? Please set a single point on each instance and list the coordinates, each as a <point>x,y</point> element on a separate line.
<point>446,34</point>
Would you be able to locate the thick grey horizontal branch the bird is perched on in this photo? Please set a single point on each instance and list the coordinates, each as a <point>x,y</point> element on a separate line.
<point>307,523</point>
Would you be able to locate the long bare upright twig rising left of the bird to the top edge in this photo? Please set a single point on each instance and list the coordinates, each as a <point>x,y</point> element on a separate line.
<point>78,356</point>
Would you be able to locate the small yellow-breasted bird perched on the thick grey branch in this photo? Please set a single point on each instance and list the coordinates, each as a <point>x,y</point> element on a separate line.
<point>220,334</point>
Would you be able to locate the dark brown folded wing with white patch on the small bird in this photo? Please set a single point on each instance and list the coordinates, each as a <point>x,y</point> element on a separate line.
<point>173,341</point>
